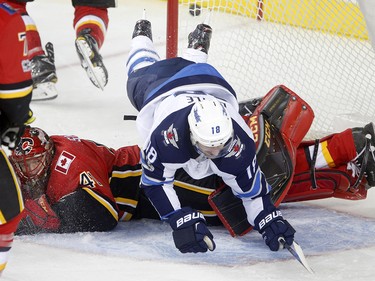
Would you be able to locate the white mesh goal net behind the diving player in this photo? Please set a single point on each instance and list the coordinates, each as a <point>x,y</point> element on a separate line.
<point>320,49</point>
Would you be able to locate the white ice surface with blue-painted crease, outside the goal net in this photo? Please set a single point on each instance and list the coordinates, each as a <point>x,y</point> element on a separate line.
<point>336,235</point>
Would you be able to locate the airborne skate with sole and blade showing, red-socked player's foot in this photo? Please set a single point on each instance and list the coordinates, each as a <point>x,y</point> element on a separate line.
<point>91,60</point>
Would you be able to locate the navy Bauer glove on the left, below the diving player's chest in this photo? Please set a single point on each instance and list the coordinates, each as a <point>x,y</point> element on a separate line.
<point>190,232</point>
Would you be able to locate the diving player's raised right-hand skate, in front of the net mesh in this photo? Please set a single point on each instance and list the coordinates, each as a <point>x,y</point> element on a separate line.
<point>200,38</point>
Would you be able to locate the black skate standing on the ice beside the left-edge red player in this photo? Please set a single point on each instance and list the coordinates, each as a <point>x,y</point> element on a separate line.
<point>43,72</point>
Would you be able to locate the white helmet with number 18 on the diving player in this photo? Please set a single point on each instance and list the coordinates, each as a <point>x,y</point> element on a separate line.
<point>211,128</point>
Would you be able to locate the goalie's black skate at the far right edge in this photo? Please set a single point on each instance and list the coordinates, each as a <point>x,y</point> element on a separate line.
<point>360,136</point>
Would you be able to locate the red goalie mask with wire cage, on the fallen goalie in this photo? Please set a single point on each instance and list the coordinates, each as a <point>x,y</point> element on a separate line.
<point>31,160</point>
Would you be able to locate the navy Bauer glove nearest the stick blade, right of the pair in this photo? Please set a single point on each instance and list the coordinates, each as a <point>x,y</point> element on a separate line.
<point>272,226</point>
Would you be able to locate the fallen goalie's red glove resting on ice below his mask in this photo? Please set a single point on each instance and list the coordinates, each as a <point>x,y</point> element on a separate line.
<point>39,217</point>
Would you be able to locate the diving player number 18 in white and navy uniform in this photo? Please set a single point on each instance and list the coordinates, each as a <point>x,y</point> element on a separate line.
<point>188,118</point>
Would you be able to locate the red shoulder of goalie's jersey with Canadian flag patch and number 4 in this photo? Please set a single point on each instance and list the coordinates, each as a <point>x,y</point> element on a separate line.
<point>79,164</point>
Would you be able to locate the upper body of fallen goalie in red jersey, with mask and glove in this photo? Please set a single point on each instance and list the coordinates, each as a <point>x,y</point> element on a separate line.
<point>71,184</point>
